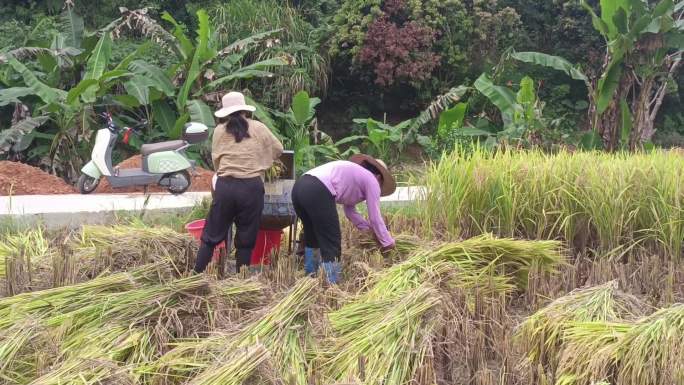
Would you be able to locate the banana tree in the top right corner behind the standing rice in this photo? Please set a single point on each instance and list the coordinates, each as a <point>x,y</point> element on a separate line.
<point>644,46</point>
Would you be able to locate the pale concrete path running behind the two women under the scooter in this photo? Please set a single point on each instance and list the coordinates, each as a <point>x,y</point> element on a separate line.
<point>72,210</point>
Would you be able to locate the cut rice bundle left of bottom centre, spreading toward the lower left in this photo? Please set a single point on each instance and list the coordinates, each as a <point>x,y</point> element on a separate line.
<point>272,329</point>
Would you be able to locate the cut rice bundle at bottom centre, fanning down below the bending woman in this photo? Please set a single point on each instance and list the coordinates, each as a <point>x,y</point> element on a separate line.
<point>391,335</point>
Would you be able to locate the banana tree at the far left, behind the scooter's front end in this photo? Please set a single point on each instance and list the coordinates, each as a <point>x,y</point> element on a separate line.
<point>64,116</point>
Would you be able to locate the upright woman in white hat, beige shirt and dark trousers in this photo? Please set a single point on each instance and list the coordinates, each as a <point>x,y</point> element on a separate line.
<point>242,150</point>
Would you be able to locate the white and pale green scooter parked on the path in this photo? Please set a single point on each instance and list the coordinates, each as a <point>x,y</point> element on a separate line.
<point>163,163</point>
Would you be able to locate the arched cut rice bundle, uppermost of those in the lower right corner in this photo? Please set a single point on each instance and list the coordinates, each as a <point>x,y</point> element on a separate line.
<point>541,335</point>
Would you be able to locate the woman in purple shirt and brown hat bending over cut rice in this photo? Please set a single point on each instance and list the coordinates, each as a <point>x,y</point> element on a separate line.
<point>348,183</point>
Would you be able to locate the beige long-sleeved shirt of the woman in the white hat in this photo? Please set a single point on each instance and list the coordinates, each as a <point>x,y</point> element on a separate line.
<point>249,158</point>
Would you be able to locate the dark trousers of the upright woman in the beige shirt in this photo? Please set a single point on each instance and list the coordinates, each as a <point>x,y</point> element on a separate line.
<point>238,201</point>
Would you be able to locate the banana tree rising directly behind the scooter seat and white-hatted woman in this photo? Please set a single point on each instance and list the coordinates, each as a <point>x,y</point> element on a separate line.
<point>201,68</point>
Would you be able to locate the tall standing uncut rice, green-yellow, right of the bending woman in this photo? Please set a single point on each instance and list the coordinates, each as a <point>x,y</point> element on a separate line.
<point>609,203</point>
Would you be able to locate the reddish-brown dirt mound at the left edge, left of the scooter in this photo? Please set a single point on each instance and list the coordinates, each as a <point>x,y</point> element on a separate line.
<point>21,179</point>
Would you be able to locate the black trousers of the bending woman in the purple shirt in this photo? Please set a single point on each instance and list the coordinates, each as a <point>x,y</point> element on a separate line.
<point>317,209</point>
